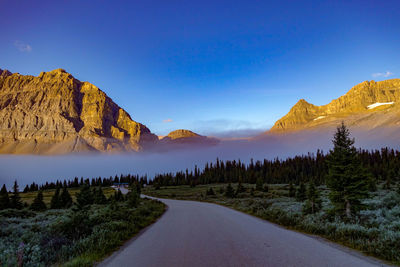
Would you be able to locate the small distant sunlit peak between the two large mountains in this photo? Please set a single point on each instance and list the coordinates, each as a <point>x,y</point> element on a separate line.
<point>187,137</point>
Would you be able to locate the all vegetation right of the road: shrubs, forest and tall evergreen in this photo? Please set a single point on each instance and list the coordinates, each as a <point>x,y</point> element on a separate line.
<point>348,196</point>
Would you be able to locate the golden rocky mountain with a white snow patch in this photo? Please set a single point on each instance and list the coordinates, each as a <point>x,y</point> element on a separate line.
<point>368,105</point>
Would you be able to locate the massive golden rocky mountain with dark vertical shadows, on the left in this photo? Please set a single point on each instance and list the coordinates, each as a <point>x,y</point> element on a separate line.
<point>56,113</point>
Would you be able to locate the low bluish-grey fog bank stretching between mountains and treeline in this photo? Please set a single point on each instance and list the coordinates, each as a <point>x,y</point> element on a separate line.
<point>40,169</point>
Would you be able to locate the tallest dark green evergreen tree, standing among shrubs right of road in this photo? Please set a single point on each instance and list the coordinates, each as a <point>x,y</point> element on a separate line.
<point>347,179</point>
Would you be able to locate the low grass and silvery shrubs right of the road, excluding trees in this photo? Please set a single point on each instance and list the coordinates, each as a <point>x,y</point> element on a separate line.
<point>376,232</point>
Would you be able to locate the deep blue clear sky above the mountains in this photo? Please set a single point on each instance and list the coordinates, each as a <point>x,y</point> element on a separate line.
<point>210,66</point>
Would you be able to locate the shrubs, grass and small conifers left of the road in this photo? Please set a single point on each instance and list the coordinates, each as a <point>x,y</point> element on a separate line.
<point>70,226</point>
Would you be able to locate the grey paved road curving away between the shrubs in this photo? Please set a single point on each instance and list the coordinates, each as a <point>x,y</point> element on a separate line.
<point>202,234</point>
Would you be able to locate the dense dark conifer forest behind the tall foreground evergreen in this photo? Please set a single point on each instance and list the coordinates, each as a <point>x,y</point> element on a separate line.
<point>383,165</point>
